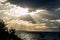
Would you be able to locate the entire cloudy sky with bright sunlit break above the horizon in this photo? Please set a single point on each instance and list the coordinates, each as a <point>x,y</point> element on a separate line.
<point>33,15</point>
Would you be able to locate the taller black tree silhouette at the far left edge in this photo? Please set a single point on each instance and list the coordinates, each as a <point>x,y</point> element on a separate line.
<point>3,33</point>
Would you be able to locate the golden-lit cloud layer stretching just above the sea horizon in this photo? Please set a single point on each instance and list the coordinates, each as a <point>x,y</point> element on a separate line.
<point>49,25</point>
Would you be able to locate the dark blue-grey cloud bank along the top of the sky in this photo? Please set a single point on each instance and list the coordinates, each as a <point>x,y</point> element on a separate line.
<point>37,3</point>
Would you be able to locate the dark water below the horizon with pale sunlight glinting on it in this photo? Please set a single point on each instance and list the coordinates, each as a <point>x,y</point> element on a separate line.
<point>39,35</point>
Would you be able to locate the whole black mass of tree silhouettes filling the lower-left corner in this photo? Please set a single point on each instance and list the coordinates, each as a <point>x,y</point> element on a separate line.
<point>5,35</point>
